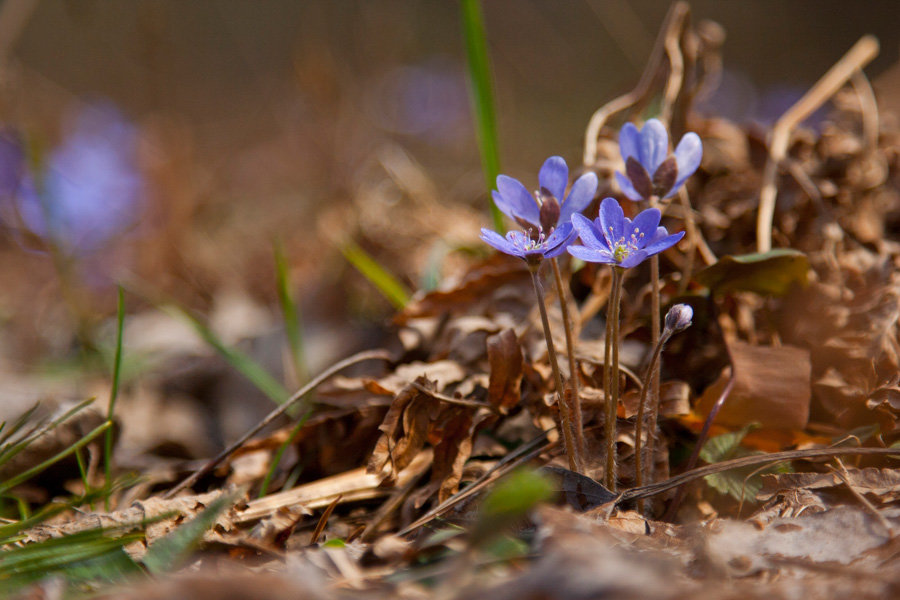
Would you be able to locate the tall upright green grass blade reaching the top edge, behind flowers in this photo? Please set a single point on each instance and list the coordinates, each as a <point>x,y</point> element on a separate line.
<point>481,93</point>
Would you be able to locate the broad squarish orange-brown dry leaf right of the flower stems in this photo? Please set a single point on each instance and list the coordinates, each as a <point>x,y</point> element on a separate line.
<point>772,387</point>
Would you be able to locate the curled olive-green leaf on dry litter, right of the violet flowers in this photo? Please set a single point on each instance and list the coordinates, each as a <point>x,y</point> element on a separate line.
<point>769,273</point>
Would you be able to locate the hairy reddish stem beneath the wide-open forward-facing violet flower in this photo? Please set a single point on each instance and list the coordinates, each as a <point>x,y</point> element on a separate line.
<point>611,375</point>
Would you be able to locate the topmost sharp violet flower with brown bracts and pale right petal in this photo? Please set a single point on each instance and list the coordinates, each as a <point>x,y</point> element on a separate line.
<point>649,168</point>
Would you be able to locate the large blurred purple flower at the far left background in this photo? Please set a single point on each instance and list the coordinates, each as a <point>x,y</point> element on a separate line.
<point>91,187</point>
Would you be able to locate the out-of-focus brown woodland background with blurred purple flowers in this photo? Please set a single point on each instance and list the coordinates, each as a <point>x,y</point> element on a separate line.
<point>167,145</point>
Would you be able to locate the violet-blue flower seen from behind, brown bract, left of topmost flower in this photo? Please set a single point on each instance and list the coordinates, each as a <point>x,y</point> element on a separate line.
<point>554,206</point>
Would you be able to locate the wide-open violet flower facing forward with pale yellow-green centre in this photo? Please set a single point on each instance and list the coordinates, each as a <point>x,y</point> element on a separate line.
<point>616,240</point>
